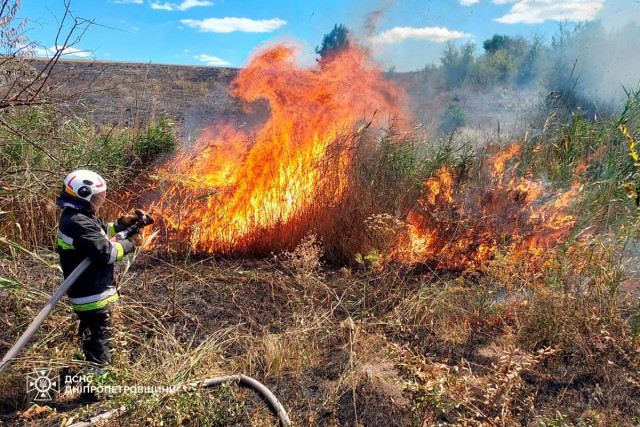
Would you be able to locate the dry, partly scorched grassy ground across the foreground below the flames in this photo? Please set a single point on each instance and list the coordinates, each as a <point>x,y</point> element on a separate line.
<point>336,346</point>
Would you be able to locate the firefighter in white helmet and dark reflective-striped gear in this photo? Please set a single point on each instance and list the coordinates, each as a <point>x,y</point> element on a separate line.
<point>82,233</point>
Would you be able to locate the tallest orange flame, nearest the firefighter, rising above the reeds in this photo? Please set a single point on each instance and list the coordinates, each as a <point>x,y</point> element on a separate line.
<point>236,190</point>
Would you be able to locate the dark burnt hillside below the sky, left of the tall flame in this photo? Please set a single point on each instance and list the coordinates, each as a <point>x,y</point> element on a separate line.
<point>126,94</point>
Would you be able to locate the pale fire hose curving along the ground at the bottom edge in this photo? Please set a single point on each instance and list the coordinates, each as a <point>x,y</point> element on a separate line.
<point>209,382</point>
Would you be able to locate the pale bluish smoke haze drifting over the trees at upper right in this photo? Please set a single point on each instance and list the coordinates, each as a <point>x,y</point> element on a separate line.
<point>585,66</point>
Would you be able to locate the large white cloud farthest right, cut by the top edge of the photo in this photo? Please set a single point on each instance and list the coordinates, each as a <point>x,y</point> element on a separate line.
<point>538,11</point>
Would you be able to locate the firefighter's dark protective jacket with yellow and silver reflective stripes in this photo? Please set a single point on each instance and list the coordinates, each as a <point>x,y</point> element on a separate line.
<point>80,234</point>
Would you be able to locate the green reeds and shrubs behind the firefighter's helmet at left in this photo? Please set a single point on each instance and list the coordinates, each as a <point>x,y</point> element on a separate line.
<point>39,146</point>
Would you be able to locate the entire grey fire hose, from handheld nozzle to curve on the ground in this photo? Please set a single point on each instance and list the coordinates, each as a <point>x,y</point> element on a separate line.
<point>24,339</point>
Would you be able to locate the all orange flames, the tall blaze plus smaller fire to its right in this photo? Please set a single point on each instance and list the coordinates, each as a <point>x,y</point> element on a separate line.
<point>261,188</point>
